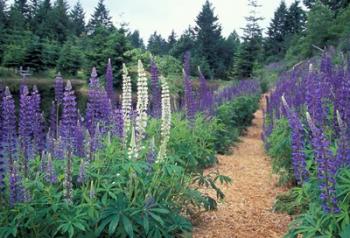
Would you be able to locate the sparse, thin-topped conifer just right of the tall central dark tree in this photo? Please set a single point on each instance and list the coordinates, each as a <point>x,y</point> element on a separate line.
<point>250,51</point>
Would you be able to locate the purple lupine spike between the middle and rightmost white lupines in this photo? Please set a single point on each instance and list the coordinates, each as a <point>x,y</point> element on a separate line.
<point>155,91</point>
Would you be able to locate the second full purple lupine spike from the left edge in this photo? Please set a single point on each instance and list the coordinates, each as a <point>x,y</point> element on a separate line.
<point>26,127</point>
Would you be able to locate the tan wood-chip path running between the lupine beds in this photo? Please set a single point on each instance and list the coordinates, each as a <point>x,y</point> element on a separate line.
<point>247,208</point>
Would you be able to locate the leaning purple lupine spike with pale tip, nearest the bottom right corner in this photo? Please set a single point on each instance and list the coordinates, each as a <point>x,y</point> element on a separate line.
<point>326,167</point>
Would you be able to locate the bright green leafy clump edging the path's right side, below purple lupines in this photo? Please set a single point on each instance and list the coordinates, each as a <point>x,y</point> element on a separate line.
<point>280,151</point>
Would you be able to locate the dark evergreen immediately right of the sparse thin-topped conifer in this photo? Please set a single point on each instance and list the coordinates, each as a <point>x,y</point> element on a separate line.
<point>277,33</point>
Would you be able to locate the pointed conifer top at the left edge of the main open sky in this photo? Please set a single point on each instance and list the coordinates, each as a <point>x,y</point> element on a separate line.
<point>100,18</point>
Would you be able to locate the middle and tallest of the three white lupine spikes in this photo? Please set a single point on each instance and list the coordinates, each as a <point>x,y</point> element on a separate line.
<point>142,103</point>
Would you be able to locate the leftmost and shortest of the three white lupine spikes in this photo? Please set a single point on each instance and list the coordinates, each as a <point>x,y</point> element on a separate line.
<point>126,100</point>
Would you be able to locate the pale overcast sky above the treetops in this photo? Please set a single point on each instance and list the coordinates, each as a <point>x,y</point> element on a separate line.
<point>164,16</point>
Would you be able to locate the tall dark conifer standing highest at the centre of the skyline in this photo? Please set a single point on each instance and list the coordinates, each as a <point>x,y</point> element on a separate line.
<point>208,32</point>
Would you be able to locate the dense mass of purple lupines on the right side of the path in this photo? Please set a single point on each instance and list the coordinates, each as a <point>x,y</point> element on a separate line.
<point>325,95</point>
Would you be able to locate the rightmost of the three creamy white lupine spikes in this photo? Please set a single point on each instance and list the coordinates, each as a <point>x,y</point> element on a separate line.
<point>166,120</point>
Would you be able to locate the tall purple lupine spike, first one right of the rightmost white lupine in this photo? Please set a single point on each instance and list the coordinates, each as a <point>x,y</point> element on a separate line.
<point>189,98</point>
